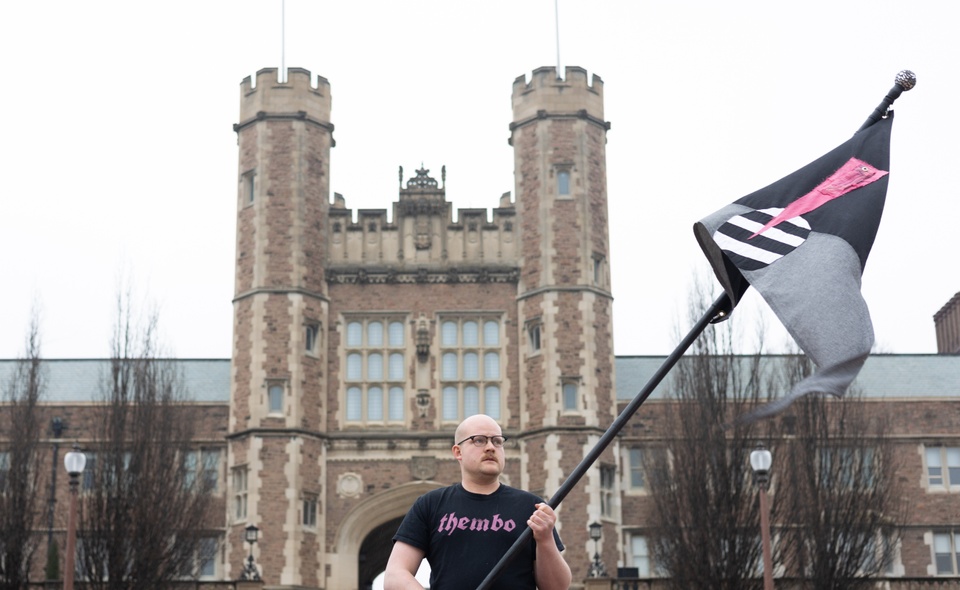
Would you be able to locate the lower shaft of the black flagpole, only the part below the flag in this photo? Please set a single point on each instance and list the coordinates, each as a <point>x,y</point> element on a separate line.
<point>720,309</point>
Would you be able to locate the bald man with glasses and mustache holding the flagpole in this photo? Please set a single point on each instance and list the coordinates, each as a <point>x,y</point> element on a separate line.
<point>463,530</point>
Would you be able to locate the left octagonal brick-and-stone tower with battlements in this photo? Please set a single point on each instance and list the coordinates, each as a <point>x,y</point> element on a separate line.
<point>280,312</point>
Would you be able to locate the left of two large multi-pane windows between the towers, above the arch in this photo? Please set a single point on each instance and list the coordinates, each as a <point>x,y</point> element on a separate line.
<point>375,350</point>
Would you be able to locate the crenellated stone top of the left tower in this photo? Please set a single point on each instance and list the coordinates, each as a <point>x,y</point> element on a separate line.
<point>296,98</point>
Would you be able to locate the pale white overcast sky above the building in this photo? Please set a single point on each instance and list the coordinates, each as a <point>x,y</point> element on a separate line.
<point>119,156</point>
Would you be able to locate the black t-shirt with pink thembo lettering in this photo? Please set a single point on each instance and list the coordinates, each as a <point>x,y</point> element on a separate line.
<point>464,535</point>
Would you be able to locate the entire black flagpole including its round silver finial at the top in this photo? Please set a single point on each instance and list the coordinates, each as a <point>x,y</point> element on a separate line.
<point>721,308</point>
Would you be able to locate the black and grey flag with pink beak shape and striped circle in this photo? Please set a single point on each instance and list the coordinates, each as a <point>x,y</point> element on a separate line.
<point>802,243</point>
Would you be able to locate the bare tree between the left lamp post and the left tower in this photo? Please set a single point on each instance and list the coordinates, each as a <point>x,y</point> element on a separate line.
<point>144,506</point>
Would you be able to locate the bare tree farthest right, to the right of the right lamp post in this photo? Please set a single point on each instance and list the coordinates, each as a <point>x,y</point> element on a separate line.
<point>838,485</point>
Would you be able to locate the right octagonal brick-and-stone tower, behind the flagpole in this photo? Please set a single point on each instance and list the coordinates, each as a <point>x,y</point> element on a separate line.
<point>564,301</point>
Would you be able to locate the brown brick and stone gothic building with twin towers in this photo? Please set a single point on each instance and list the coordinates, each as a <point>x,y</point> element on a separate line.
<point>362,339</point>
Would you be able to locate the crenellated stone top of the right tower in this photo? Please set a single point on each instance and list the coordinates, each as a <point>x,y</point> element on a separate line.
<point>547,95</point>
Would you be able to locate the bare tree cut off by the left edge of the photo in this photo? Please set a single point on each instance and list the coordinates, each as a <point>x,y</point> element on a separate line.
<point>20,461</point>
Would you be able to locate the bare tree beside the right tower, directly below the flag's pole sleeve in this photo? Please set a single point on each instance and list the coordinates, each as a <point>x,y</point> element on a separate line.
<point>705,522</point>
